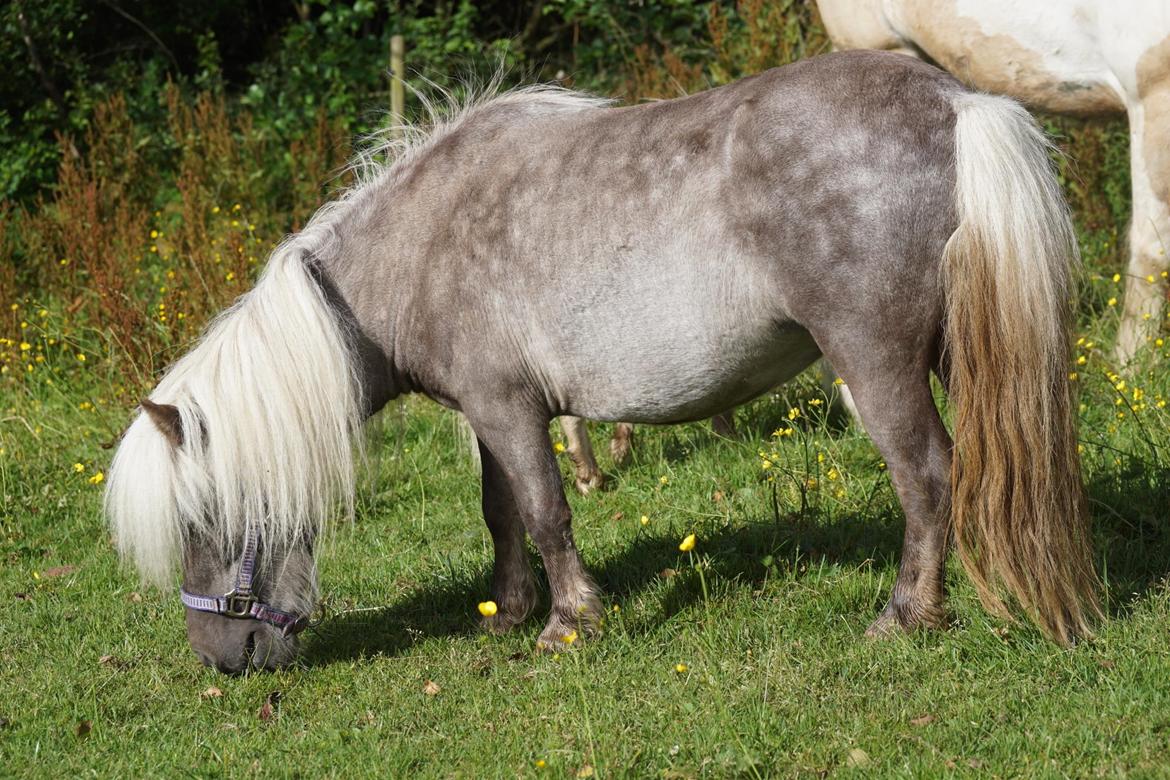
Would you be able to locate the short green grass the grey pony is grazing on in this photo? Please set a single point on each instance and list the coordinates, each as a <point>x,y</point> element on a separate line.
<point>97,677</point>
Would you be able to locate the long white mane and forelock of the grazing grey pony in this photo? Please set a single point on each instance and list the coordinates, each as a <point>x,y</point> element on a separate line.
<point>270,398</point>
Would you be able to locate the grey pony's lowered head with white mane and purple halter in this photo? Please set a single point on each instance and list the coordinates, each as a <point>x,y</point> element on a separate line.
<point>235,466</point>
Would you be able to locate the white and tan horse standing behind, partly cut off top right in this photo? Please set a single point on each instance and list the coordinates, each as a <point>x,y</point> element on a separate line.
<point>1086,58</point>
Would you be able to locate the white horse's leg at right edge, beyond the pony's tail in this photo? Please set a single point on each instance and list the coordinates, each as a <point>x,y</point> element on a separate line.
<point>1150,234</point>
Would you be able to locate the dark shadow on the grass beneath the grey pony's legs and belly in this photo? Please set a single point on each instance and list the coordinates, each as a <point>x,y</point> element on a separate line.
<point>744,556</point>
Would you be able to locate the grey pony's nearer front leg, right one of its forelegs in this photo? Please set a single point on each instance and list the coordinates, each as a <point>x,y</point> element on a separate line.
<point>519,455</point>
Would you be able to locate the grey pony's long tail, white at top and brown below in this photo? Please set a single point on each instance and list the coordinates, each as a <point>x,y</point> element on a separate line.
<point>1018,510</point>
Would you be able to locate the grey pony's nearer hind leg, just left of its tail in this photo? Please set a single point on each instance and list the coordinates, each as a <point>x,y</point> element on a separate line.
<point>892,391</point>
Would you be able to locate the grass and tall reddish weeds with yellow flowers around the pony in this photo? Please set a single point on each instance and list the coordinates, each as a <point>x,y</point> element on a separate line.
<point>97,677</point>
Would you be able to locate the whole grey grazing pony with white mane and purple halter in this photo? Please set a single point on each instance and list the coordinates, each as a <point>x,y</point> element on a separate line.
<point>542,254</point>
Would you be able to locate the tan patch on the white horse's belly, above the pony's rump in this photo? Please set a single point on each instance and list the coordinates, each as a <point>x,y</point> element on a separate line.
<point>1000,64</point>
